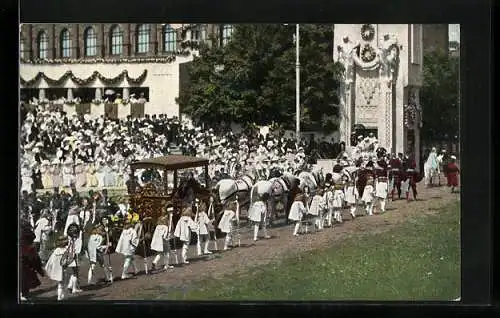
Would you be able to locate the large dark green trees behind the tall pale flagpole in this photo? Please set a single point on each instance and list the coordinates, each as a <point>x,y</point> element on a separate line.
<point>257,83</point>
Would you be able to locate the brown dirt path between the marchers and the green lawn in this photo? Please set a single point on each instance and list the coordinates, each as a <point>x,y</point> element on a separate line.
<point>281,245</point>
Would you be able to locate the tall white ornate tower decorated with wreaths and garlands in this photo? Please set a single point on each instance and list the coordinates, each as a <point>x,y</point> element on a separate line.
<point>381,84</point>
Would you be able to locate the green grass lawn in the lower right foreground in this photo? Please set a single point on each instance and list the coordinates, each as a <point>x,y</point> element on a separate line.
<point>419,260</point>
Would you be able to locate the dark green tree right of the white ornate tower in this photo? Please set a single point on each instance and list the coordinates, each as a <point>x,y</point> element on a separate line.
<point>440,96</point>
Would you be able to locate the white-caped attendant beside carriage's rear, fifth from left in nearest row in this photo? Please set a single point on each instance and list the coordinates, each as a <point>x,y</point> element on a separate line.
<point>161,241</point>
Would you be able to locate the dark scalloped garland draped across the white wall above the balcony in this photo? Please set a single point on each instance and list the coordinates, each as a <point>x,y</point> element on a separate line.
<point>85,81</point>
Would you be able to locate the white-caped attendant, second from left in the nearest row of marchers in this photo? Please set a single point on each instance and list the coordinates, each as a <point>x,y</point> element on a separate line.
<point>74,234</point>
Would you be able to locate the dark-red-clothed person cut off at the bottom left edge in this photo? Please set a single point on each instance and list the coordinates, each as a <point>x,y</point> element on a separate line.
<point>30,263</point>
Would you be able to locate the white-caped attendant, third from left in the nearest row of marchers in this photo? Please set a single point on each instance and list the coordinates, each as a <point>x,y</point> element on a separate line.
<point>97,247</point>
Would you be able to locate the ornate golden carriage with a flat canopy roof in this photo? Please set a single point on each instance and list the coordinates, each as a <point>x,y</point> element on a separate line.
<point>150,202</point>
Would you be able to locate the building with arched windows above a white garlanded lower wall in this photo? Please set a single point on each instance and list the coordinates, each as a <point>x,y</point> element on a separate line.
<point>92,63</point>
